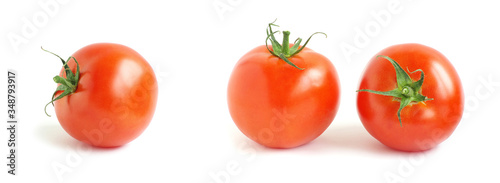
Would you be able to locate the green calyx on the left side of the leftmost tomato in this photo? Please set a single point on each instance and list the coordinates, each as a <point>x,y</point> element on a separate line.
<point>67,85</point>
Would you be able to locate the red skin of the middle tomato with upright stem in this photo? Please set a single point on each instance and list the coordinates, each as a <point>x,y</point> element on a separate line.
<point>279,106</point>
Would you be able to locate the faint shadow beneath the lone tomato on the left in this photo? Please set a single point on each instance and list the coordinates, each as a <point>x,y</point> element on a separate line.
<point>55,135</point>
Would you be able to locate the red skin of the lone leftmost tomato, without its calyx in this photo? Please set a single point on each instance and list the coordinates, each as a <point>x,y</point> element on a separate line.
<point>115,99</point>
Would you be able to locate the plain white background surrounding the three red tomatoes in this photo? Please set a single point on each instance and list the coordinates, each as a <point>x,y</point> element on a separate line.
<point>193,49</point>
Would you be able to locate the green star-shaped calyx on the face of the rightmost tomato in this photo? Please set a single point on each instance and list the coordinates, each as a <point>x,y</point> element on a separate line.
<point>407,90</point>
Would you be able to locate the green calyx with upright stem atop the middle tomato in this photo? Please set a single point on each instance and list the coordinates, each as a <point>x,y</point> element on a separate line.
<point>284,51</point>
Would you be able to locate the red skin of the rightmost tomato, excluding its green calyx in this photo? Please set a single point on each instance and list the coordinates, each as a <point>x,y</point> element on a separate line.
<point>424,125</point>
